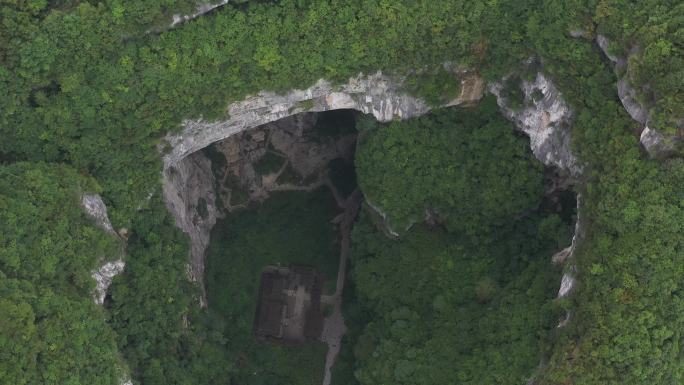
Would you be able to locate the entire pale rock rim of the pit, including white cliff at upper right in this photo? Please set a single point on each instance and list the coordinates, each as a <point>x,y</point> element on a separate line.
<point>187,173</point>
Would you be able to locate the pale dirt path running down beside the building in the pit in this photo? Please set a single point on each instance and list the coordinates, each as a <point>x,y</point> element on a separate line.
<point>334,328</point>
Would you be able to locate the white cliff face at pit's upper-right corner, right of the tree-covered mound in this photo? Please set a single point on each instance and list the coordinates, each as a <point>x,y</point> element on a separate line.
<point>545,121</point>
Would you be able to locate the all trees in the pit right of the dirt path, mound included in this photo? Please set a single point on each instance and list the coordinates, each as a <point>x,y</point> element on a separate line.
<point>468,299</point>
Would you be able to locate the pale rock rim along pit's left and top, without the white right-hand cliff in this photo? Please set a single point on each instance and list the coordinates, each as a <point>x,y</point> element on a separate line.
<point>187,173</point>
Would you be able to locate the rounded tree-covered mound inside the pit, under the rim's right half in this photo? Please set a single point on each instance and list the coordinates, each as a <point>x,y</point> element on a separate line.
<point>466,165</point>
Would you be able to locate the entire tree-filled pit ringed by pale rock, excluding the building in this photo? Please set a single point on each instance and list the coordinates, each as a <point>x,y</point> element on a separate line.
<point>283,190</point>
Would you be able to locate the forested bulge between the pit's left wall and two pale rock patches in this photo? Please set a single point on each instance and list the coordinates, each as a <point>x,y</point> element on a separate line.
<point>161,332</point>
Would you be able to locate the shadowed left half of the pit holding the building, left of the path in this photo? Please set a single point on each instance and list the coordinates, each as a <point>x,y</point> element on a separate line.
<point>287,192</point>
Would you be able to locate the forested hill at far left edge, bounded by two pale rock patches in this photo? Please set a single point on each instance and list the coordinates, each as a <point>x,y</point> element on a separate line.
<point>51,332</point>
